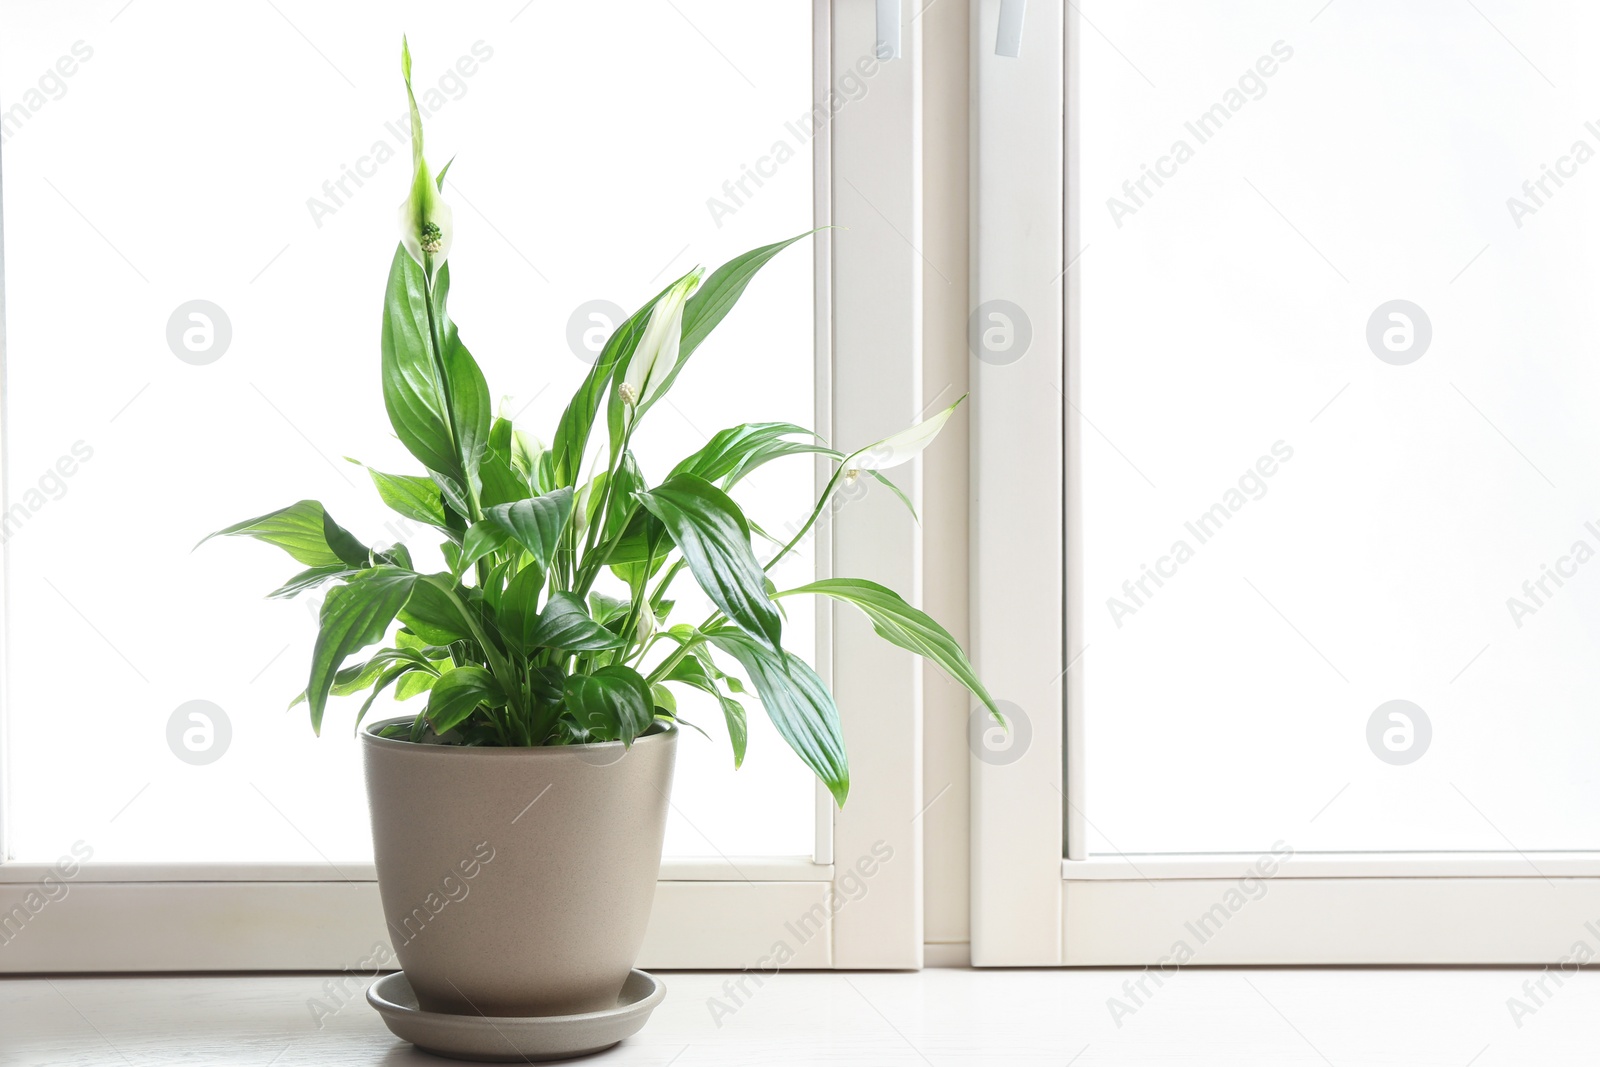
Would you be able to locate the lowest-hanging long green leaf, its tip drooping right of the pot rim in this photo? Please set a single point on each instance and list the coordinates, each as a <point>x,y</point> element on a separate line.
<point>799,705</point>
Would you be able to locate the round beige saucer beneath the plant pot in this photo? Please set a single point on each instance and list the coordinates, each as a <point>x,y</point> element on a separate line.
<point>510,1039</point>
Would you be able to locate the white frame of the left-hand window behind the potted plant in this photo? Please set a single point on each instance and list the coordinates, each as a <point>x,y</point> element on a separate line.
<point>708,914</point>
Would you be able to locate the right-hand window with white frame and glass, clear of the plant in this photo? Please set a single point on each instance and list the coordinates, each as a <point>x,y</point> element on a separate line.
<point>1322,510</point>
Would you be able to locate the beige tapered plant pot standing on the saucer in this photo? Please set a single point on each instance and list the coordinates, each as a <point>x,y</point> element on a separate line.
<point>518,882</point>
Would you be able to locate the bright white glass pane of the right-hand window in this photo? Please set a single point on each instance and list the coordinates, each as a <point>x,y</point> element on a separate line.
<point>1338,372</point>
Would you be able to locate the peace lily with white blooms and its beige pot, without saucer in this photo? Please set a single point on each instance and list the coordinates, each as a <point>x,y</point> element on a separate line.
<point>546,658</point>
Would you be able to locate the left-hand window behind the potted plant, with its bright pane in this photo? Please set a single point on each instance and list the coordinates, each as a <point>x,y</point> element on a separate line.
<point>198,228</point>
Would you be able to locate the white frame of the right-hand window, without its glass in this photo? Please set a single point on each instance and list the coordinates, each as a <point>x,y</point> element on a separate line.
<point>1038,898</point>
